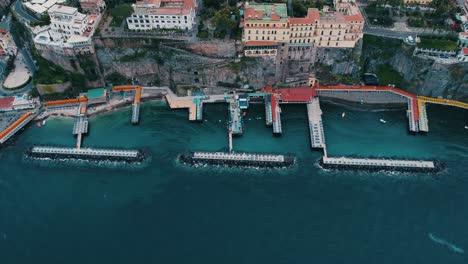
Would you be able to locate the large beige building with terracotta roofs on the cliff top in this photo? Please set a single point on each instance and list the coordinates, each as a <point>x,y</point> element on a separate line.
<point>267,26</point>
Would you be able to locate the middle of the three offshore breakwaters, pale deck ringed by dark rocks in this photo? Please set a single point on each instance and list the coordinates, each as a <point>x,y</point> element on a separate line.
<point>237,159</point>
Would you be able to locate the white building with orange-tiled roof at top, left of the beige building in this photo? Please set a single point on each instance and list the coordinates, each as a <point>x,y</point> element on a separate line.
<point>162,14</point>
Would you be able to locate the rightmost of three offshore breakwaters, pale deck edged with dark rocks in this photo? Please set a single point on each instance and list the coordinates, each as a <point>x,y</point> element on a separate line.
<point>384,164</point>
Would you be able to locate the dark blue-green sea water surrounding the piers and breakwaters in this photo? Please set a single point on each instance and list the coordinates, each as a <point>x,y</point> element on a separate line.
<point>167,213</point>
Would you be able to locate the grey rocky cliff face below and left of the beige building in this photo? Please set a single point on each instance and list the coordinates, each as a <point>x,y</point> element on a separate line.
<point>173,66</point>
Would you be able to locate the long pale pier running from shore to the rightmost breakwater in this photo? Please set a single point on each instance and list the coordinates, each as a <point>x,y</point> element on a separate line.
<point>317,136</point>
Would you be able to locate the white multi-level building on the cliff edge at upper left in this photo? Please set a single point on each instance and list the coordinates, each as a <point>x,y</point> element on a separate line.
<point>69,33</point>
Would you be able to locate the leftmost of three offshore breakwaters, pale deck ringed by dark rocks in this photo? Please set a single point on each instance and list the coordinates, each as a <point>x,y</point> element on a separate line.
<point>85,153</point>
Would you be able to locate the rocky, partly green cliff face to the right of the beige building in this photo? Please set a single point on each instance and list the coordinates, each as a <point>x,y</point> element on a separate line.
<point>421,76</point>
